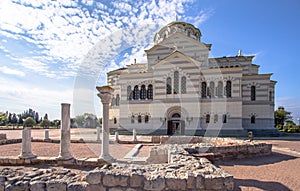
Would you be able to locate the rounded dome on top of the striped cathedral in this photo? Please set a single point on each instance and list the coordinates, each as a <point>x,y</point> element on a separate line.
<point>177,27</point>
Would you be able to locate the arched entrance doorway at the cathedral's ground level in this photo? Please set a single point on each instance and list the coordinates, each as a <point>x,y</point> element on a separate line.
<point>175,125</point>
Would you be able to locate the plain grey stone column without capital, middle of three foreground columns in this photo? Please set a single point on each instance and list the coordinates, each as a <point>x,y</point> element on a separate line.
<point>65,134</point>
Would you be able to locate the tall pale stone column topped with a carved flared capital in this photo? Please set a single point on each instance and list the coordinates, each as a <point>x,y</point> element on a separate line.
<point>105,94</point>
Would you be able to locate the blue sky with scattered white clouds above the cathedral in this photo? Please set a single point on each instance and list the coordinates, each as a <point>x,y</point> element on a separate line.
<point>54,52</point>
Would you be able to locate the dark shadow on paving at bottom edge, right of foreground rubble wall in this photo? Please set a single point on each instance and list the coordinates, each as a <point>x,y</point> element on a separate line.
<point>267,186</point>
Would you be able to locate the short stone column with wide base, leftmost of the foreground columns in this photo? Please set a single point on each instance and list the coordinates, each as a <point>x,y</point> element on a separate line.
<point>26,144</point>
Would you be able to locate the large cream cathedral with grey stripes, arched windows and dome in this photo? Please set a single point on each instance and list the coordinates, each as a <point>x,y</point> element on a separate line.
<point>181,90</point>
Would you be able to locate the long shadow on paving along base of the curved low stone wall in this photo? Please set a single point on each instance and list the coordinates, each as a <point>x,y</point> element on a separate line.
<point>275,157</point>
